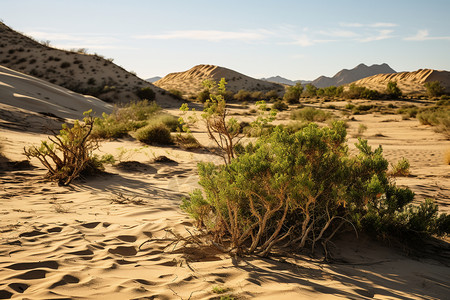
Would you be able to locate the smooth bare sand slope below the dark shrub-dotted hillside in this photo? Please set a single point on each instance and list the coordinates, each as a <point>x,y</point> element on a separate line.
<point>26,100</point>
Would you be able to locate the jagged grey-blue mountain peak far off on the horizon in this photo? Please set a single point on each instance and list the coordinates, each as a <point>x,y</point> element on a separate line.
<point>347,76</point>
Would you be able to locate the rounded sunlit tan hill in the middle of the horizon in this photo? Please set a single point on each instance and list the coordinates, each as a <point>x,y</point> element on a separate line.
<point>190,82</point>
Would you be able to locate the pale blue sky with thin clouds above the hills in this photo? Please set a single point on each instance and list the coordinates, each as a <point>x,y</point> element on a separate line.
<point>293,39</point>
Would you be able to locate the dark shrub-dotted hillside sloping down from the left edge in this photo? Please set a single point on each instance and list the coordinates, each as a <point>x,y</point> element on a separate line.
<point>75,70</point>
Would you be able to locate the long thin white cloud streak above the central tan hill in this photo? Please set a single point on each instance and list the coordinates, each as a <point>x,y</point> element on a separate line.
<point>209,35</point>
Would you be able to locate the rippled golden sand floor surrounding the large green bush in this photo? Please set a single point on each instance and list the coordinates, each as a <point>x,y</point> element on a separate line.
<point>111,237</point>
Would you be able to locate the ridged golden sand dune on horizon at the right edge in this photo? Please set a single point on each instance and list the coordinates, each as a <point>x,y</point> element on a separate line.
<point>408,82</point>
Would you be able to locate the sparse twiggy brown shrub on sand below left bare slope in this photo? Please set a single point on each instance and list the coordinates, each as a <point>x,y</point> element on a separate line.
<point>70,151</point>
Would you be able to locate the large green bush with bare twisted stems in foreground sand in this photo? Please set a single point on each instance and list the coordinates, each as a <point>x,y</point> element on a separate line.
<point>300,189</point>
